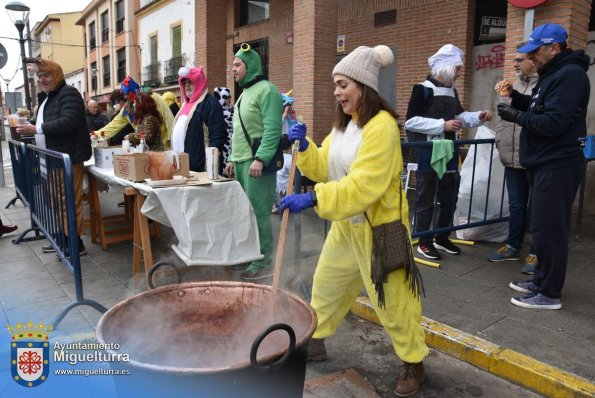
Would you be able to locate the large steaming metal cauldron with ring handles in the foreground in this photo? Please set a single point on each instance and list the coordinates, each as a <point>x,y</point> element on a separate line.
<point>210,339</point>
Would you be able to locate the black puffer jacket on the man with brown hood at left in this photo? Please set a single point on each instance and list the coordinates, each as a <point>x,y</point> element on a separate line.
<point>64,123</point>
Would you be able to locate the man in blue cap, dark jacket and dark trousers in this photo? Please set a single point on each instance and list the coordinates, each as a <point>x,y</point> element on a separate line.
<point>553,119</point>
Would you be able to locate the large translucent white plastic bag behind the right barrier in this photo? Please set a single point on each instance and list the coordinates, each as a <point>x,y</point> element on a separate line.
<point>493,232</point>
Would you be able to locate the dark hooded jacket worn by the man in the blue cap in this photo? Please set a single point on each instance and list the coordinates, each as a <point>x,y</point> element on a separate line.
<point>555,114</point>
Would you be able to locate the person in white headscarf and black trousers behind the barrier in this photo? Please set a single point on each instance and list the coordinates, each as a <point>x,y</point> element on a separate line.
<point>435,113</point>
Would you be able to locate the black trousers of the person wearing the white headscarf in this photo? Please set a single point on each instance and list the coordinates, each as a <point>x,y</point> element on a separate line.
<point>445,190</point>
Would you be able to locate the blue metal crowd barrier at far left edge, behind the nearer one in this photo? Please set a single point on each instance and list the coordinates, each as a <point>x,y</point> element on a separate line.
<point>22,183</point>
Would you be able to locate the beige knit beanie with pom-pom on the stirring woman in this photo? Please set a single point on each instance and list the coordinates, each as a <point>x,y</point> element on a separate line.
<point>364,63</point>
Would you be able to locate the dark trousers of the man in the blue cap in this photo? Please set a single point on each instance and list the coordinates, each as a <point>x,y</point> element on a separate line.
<point>553,192</point>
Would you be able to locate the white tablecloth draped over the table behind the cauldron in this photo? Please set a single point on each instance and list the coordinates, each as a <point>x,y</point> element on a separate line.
<point>215,224</point>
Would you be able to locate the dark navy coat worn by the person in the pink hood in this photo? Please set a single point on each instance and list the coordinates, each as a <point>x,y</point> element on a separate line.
<point>209,113</point>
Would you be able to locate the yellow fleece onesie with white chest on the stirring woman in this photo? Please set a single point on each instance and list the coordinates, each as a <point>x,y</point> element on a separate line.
<point>370,182</point>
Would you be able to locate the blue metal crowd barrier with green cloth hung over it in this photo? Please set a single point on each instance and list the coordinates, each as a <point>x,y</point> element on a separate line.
<point>424,149</point>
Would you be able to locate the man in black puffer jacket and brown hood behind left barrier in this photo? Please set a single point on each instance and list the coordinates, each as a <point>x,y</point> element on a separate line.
<point>61,126</point>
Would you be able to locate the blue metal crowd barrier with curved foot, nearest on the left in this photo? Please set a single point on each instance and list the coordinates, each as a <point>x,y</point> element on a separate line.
<point>52,204</point>
